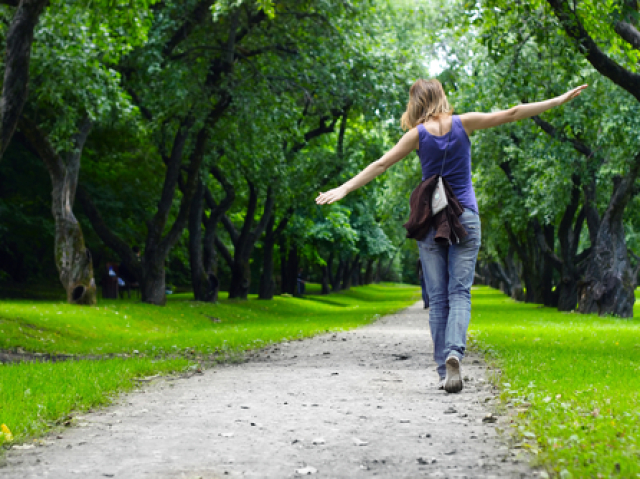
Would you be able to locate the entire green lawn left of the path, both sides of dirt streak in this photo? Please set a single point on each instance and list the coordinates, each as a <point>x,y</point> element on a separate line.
<point>34,397</point>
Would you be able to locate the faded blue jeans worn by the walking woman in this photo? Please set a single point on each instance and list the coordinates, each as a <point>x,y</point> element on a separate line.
<point>448,272</point>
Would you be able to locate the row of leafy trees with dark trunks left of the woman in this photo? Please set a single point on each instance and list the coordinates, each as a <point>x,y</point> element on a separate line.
<point>202,130</point>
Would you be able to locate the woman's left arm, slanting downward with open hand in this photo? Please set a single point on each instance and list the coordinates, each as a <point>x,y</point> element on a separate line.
<point>407,143</point>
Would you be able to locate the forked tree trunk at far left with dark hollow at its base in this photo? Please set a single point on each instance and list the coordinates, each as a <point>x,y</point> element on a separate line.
<point>72,258</point>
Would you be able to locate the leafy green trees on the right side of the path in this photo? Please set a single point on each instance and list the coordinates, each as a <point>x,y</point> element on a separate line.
<point>558,193</point>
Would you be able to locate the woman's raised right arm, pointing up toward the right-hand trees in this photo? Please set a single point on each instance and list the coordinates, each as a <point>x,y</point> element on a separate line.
<point>480,121</point>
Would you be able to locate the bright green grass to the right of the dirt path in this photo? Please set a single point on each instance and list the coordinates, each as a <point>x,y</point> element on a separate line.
<point>576,376</point>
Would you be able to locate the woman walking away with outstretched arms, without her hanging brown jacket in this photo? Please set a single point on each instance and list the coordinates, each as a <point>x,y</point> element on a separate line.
<point>441,140</point>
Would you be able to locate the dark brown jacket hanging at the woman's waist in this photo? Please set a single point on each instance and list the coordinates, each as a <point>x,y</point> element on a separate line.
<point>449,230</point>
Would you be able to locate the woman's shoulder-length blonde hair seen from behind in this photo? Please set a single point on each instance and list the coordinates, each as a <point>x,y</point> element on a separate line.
<point>427,100</point>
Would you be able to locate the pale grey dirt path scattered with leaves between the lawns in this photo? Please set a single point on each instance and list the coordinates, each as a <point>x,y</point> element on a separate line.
<point>352,405</point>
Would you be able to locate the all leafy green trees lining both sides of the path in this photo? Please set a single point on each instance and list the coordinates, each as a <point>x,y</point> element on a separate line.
<point>205,129</point>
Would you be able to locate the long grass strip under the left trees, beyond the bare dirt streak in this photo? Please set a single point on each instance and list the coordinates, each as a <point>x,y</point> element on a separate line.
<point>122,326</point>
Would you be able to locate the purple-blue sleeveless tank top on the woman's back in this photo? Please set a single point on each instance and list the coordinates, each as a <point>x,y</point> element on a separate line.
<point>457,167</point>
